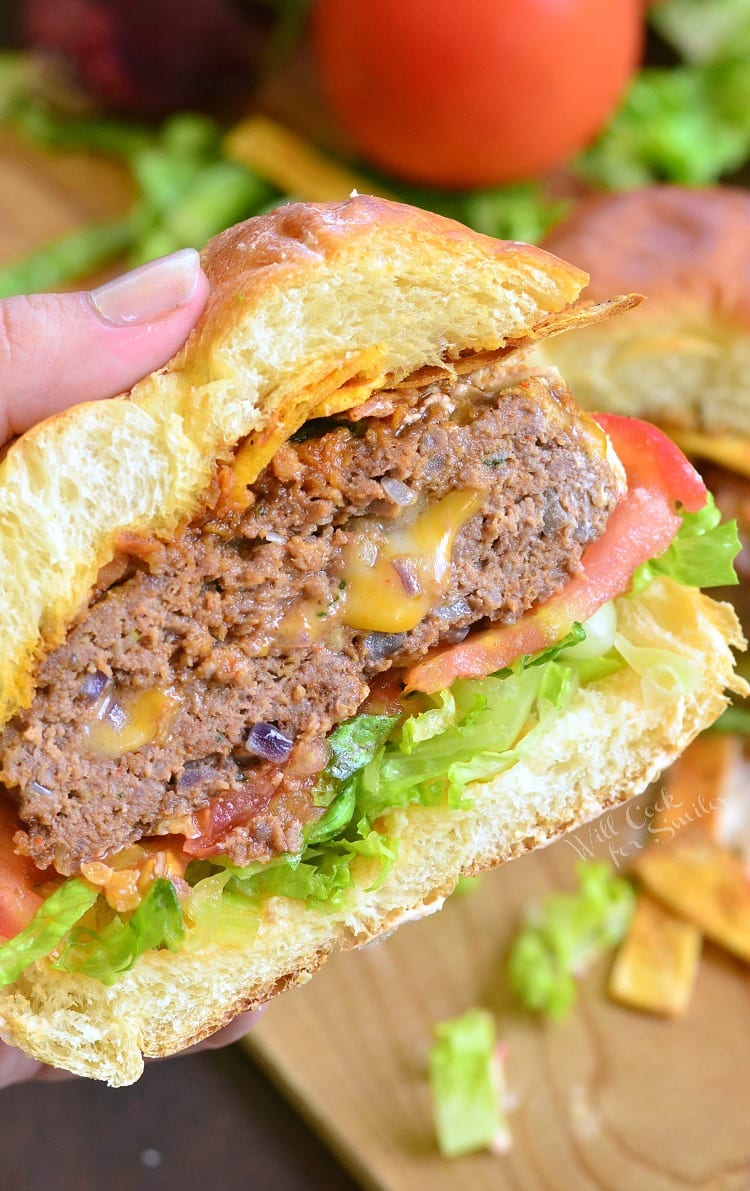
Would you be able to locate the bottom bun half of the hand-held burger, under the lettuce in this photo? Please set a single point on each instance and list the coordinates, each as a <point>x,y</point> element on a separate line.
<point>609,745</point>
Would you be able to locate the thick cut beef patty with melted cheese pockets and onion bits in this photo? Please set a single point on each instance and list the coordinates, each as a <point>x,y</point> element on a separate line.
<point>367,543</point>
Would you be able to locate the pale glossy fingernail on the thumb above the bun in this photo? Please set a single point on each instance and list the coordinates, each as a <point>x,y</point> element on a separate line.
<point>149,291</point>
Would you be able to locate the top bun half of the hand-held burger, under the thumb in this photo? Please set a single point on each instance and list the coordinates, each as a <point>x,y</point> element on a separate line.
<point>309,304</point>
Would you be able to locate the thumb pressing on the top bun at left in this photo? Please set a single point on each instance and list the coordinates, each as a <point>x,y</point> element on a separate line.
<point>60,350</point>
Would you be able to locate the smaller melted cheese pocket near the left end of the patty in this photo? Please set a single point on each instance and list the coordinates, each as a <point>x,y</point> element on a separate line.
<point>127,725</point>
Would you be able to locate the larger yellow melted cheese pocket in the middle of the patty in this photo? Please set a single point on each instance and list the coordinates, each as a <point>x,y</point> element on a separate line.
<point>393,578</point>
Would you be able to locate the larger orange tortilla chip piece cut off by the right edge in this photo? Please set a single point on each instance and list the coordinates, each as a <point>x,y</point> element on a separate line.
<point>704,883</point>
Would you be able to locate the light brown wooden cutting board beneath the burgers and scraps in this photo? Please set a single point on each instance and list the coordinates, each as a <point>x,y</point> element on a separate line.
<point>609,1100</point>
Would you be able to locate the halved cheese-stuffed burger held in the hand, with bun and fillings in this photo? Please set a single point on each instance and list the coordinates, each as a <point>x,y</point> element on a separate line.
<point>343,603</point>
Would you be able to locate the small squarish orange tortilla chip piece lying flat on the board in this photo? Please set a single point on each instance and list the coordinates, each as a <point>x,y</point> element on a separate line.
<point>657,966</point>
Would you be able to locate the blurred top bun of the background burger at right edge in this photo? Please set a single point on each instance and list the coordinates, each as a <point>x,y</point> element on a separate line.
<point>683,359</point>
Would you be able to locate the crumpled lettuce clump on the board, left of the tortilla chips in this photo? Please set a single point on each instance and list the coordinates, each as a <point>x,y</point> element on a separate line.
<point>565,936</point>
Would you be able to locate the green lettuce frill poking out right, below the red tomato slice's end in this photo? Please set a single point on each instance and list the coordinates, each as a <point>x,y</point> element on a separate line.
<point>702,556</point>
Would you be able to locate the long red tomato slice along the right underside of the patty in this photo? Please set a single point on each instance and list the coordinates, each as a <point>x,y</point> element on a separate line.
<point>641,527</point>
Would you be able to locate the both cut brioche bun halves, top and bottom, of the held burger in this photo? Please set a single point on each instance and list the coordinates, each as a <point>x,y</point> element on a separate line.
<point>312,308</point>
